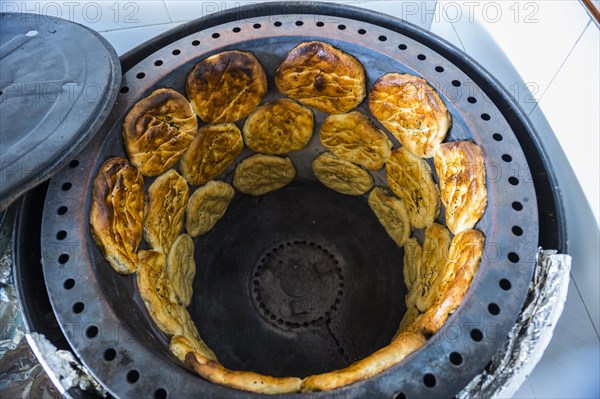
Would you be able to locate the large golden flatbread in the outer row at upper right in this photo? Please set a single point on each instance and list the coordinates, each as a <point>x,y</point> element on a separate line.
<point>412,111</point>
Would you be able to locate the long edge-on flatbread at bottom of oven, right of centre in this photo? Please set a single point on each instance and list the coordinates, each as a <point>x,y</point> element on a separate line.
<point>402,346</point>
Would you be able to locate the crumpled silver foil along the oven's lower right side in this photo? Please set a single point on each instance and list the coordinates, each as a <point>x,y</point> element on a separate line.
<point>531,334</point>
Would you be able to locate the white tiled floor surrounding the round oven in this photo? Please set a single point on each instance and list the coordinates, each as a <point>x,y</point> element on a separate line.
<point>546,53</point>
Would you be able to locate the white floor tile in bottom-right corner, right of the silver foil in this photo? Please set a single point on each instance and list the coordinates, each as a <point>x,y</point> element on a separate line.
<point>570,367</point>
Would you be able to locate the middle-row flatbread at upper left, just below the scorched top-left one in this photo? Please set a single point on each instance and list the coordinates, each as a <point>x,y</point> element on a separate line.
<point>212,151</point>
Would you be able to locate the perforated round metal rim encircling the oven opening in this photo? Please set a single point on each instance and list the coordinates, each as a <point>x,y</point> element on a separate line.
<point>127,363</point>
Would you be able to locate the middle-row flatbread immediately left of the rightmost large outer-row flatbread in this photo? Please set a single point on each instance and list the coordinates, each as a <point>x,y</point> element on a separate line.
<point>410,178</point>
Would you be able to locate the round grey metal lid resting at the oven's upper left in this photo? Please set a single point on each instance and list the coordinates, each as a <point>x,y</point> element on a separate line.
<point>59,81</point>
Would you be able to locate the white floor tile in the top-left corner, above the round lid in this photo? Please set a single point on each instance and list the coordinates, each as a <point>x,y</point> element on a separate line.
<point>99,15</point>
